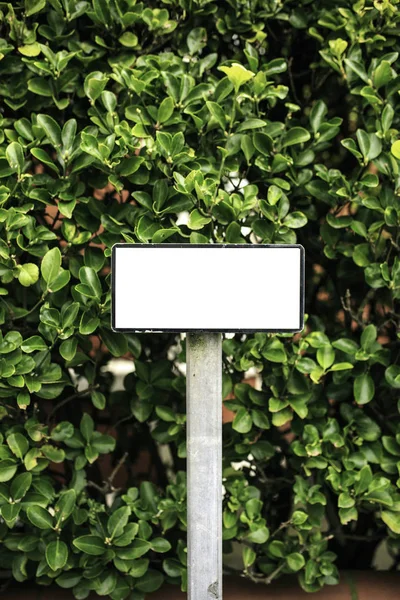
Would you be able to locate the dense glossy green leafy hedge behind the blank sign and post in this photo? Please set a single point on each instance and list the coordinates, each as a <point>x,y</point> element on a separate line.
<point>197,121</point>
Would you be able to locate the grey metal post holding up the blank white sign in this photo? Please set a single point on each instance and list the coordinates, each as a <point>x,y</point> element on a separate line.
<point>204,465</point>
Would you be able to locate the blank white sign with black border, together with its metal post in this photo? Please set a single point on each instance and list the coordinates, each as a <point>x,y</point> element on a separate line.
<point>205,290</point>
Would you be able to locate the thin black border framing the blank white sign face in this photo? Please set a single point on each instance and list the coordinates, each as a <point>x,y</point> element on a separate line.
<point>213,246</point>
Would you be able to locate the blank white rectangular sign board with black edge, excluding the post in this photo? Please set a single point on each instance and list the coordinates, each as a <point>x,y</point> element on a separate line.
<point>210,287</point>
